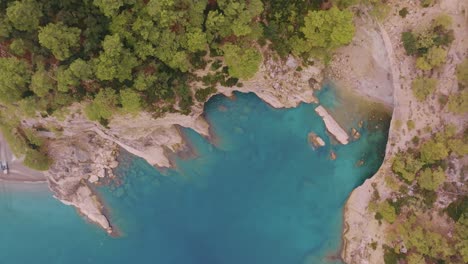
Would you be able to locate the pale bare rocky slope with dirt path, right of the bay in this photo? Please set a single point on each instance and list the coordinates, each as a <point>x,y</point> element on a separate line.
<point>361,229</point>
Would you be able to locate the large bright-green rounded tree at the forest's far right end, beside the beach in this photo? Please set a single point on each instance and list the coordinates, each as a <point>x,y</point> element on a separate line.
<point>328,29</point>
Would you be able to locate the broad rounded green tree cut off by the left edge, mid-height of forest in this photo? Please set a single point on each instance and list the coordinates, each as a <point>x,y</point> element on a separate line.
<point>14,79</point>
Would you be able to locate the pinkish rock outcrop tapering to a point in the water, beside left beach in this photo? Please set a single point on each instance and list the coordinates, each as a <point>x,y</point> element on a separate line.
<point>79,160</point>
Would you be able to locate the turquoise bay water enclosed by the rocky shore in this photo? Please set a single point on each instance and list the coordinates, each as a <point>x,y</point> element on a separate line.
<point>261,194</point>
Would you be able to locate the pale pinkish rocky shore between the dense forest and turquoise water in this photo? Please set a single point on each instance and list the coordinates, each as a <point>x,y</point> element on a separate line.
<point>85,152</point>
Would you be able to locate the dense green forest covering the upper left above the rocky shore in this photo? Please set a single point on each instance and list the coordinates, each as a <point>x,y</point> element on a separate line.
<point>123,56</point>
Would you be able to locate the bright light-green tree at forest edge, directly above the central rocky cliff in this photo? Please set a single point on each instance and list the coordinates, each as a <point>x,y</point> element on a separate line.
<point>243,63</point>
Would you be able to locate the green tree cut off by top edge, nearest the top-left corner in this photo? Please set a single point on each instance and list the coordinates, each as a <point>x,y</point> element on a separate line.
<point>25,15</point>
